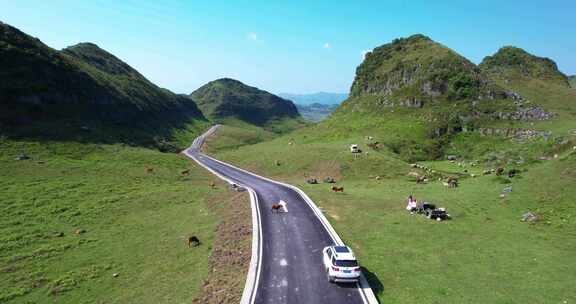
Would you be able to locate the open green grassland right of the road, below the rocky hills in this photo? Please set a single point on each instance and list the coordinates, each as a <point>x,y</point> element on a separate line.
<point>484,255</point>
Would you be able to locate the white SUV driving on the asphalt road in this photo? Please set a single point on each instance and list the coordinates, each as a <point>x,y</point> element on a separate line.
<point>340,264</point>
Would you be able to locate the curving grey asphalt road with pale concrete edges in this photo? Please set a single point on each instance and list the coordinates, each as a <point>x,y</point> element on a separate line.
<point>286,264</point>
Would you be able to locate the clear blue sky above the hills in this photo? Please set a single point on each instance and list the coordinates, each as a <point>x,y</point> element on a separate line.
<point>289,46</point>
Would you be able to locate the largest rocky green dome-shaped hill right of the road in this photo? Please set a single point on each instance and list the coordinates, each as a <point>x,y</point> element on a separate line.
<point>415,96</point>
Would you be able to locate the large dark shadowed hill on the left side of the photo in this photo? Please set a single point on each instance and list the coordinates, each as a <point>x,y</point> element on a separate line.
<point>80,89</point>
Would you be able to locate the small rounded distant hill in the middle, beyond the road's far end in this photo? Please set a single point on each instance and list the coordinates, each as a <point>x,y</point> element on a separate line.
<point>229,98</point>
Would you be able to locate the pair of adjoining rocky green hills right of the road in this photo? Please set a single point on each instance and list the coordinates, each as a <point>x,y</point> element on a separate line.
<point>420,99</point>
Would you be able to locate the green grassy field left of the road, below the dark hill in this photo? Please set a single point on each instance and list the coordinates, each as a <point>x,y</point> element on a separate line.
<point>135,224</point>
